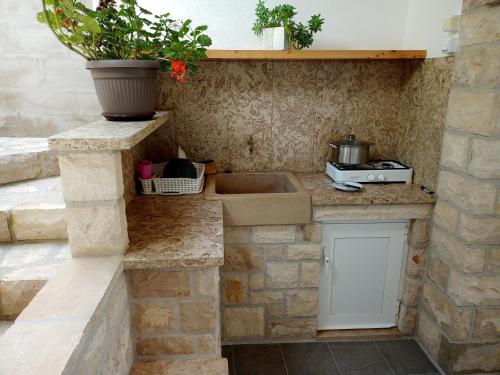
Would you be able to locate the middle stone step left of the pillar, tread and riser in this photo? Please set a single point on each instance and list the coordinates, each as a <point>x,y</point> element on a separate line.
<point>32,210</point>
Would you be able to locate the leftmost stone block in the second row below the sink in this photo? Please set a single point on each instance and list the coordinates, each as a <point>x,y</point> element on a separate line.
<point>246,258</point>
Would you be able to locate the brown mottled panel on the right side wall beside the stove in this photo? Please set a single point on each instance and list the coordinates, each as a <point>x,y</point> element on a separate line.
<point>421,115</point>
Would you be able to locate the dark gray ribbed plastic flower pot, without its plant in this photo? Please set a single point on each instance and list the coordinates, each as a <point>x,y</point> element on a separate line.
<point>126,89</point>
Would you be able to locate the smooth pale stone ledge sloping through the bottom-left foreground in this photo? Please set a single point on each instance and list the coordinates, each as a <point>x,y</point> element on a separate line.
<point>47,336</point>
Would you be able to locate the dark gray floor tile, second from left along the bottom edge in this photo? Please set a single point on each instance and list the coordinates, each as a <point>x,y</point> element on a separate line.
<point>309,359</point>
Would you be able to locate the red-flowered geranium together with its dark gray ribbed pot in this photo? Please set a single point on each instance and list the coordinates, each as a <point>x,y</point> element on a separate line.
<point>125,45</point>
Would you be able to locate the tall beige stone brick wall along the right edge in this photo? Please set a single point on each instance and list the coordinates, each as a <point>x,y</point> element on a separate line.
<point>460,309</point>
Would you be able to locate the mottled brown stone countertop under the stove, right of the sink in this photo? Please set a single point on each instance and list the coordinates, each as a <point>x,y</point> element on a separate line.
<point>323,194</point>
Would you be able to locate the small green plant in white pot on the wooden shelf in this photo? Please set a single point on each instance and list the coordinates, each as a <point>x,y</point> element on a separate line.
<point>279,30</point>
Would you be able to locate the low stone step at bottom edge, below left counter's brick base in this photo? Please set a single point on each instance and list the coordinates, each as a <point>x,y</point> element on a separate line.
<point>213,366</point>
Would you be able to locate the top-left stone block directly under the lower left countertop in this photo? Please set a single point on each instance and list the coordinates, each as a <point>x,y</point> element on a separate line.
<point>158,284</point>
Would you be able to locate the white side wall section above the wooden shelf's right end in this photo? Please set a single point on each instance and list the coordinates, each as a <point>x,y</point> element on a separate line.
<point>423,25</point>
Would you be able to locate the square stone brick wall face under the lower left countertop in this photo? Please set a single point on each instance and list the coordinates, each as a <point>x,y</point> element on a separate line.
<point>176,313</point>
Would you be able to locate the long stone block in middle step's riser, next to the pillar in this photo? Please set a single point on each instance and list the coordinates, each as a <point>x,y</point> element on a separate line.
<point>45,221</point>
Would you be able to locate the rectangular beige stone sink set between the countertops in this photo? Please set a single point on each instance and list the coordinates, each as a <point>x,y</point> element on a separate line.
<point>260,198</point>
